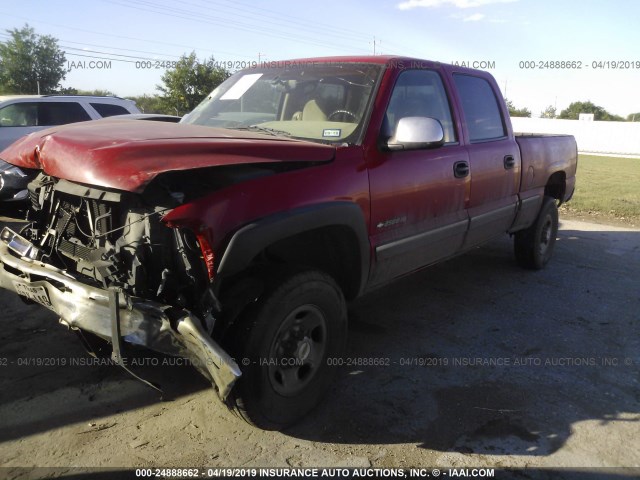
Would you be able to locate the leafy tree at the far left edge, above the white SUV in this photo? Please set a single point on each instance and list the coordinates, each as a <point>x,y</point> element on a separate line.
<point>28,60</point>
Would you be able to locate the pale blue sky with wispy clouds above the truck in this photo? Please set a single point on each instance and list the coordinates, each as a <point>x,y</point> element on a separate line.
<point>124,45</point>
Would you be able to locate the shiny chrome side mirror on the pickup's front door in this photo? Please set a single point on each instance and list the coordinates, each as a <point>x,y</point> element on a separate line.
<point>416,133</point>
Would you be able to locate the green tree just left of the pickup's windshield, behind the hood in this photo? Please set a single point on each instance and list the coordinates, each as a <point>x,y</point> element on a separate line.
<point>186,85</point>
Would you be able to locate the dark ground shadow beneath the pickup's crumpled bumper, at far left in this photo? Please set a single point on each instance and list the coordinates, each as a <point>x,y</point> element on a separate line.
<point>49,380</point>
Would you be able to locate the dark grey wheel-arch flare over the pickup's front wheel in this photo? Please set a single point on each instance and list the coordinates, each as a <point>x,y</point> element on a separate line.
<point>254,237</point>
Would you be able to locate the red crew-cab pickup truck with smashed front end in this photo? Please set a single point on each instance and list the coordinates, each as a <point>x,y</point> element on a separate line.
<point>236,237</point>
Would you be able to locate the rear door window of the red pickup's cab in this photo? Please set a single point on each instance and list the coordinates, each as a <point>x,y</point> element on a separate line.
<point>481,109</point>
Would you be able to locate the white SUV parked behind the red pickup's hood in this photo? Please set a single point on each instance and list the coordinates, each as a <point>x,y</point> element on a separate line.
<point>23,114</point>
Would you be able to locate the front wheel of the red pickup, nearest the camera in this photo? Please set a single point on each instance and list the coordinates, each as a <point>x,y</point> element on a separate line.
<point>283,346</point>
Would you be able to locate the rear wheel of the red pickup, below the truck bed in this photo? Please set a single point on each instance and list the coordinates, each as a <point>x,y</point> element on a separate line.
<point>534,246</point>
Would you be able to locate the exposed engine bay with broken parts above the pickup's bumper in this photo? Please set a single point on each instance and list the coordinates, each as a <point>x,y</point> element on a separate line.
<point>116,239</point>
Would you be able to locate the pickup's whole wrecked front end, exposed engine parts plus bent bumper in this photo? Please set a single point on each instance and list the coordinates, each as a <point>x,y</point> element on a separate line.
<point>106,264</point>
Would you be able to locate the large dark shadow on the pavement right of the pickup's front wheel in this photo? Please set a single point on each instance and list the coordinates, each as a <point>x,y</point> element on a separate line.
<point>477,356</point>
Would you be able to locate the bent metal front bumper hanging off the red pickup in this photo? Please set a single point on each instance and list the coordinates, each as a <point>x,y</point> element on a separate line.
<point>112,314</point>
